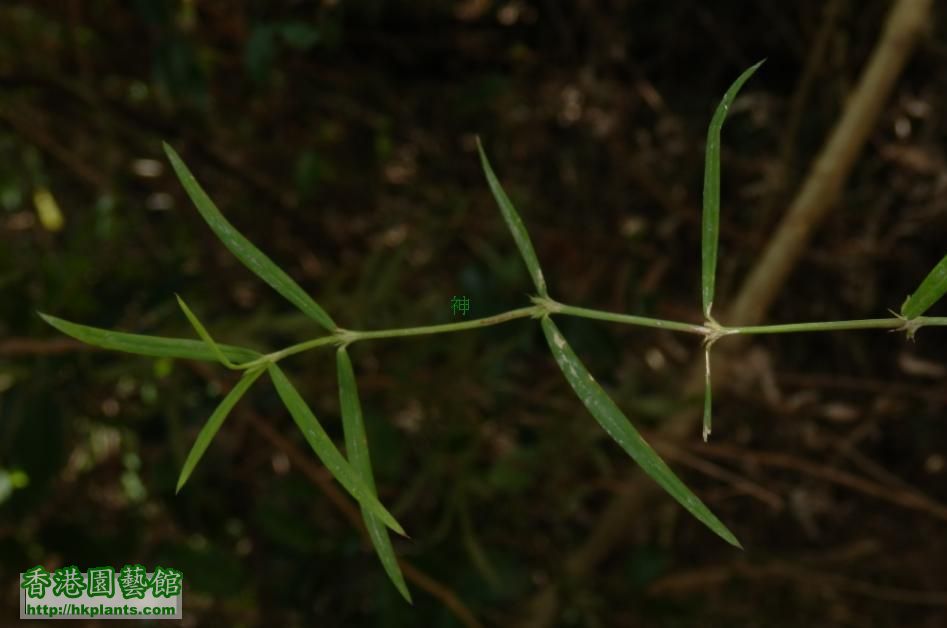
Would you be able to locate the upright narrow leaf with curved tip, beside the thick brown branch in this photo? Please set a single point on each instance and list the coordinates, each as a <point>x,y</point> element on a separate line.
<point>710,227</point>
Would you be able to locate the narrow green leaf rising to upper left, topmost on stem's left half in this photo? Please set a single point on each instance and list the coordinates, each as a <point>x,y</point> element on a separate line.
<point>243,249</point>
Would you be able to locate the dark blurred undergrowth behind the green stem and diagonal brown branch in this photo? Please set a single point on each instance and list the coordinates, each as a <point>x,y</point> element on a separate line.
<point>339,137</point>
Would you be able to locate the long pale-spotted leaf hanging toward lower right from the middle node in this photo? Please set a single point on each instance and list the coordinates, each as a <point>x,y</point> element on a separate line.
<point>617,425</point>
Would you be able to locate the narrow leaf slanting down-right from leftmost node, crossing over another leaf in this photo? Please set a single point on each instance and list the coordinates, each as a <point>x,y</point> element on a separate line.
<point>326,450</point>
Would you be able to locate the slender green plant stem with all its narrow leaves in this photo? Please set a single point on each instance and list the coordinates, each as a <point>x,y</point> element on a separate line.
<point>355,472</point>
